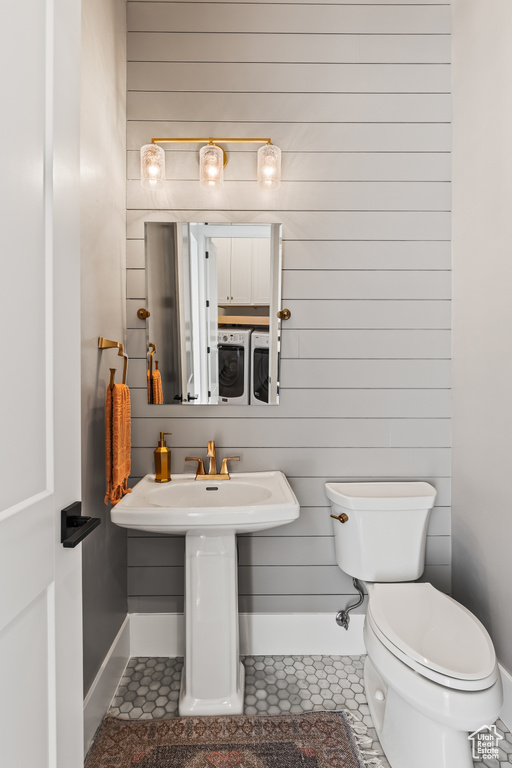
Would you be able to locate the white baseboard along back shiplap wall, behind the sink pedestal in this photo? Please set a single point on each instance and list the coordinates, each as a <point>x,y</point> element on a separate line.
<point>297,634</point>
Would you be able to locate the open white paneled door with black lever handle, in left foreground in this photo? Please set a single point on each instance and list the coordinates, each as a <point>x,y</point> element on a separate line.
<point>40,582</point>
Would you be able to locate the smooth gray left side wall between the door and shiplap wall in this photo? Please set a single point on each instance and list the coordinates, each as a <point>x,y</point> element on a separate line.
<point>103,223</point>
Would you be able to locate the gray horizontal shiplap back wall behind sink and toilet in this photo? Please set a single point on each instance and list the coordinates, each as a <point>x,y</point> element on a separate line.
<point>357,95</point>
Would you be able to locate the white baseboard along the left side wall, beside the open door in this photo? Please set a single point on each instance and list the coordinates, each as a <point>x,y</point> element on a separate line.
<point>101,692</point>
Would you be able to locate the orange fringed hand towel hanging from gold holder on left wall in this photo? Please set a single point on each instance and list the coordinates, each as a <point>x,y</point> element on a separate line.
<point>117,442</point>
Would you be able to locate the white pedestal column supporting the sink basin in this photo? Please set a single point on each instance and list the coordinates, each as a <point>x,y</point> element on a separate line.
<point>213,676</point>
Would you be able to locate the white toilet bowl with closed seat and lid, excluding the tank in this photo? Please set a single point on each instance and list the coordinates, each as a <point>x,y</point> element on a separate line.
<point>431,675</point>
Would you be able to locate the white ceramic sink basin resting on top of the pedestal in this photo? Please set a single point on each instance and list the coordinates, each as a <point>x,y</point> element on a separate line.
<point>249,501</point>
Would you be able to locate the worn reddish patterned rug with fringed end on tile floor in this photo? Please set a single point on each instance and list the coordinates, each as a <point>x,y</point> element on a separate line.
<point>312,740</point>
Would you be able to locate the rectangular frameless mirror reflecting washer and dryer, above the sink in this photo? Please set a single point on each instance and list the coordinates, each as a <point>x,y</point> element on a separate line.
<point>213,293</point>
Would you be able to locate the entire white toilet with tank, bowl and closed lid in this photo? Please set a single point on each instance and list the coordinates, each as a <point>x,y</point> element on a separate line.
<point>431,673</point>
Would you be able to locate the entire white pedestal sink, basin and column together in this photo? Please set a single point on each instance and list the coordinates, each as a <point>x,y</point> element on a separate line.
<point>210,514</point>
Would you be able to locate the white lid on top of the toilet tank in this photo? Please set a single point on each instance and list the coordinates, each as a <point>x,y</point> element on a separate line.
<point>383,496</point>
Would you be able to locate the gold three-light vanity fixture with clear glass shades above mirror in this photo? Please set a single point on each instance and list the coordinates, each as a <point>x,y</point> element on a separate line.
<point>212,161</point>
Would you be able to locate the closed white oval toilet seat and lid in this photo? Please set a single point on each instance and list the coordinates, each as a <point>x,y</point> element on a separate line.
<point>433,634</point>
